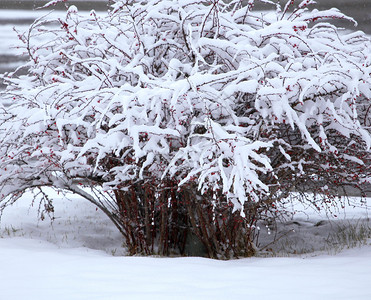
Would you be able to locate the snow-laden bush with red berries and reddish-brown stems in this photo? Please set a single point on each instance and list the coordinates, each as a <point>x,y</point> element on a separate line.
<point>188,118</point>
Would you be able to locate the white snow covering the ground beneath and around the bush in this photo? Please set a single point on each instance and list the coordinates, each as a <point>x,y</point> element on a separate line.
<point>79,256</point>
